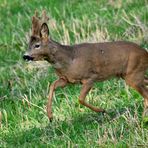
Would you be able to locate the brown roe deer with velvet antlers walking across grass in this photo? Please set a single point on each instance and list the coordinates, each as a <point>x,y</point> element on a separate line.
<point>87,63</point>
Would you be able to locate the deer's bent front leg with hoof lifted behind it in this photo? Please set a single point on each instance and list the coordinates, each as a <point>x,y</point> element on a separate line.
<point>85,89</point>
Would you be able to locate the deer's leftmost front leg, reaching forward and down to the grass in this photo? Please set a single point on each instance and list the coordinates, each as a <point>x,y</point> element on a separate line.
<point>58,83</point>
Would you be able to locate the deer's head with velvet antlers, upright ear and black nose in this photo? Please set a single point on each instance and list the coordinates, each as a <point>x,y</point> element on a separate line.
<point>40,45</point>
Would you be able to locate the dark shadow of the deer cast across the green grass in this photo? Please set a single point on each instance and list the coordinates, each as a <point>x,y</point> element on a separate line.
<point>60,131</point>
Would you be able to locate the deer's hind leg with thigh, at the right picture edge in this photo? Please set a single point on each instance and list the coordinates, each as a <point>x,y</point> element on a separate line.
<point>138,82</point>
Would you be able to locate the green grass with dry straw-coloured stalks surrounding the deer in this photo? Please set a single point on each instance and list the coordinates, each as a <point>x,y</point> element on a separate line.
<point>24,86</point>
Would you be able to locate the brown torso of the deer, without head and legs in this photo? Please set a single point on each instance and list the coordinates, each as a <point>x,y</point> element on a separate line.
<point>98,60</point>
